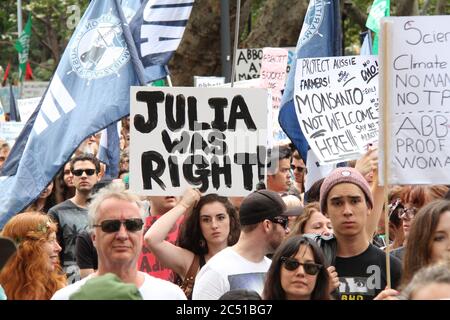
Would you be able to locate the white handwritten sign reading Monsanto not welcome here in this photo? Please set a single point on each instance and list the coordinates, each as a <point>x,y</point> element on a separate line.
<point>336,102</point>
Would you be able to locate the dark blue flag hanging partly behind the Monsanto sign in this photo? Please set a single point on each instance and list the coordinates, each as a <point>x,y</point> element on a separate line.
<point>320,37</point>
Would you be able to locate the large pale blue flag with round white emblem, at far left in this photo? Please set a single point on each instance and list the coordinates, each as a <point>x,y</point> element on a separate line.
<point>89,90</point>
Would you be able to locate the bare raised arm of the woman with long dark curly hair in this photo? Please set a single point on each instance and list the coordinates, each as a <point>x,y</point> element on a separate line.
<point>176,258</point>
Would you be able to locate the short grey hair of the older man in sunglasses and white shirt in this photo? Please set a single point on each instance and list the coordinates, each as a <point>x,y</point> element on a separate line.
<point>112,191</point>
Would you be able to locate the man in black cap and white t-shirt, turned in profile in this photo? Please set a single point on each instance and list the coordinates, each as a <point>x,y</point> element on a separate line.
<point>264,225</point>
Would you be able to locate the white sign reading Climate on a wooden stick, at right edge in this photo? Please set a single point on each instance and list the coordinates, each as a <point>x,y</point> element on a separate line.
<point>415,95</point>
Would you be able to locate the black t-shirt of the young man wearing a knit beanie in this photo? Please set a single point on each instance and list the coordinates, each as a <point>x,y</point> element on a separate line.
<point>363,277</point>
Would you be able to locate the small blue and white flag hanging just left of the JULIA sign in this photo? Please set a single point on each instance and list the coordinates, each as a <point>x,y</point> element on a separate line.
<point>109,150</point>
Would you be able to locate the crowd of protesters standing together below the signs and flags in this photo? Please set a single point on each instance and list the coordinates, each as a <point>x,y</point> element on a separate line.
<point>281,242</point>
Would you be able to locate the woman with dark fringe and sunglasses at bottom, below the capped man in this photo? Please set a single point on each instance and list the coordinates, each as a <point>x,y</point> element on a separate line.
<point>297,272</point>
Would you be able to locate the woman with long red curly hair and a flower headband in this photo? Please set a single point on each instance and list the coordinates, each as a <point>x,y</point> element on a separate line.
<point>33,272</point>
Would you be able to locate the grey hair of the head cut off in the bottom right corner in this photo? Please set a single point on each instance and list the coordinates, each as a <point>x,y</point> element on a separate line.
<point>436,273</point>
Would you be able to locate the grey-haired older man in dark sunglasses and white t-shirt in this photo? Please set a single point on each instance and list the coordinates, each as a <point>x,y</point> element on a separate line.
<point>116,217</point>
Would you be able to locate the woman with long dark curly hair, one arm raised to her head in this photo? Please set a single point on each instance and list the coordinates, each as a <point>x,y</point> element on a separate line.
<point>210,227</point>
